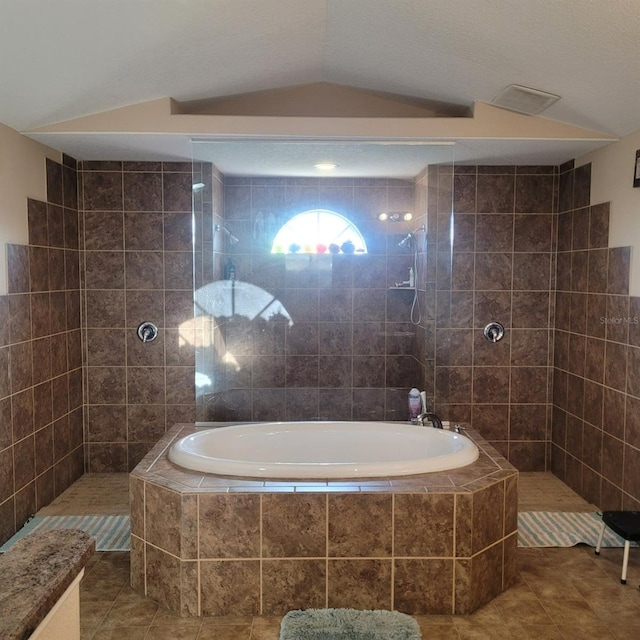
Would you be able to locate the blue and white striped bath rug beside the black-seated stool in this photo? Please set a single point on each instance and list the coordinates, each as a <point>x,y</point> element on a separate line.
<point>563,529</point>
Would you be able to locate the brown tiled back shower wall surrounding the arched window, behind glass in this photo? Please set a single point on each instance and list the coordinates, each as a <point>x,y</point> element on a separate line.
<point>350,353</point>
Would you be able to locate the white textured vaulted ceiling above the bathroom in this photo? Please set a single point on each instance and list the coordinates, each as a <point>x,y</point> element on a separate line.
<point>66,59</point>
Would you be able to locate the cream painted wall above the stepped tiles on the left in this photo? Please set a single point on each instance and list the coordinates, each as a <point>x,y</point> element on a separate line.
<point>22,176</point>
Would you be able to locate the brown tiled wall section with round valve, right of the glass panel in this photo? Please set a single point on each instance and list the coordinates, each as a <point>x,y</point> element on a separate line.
<point>501,270</point>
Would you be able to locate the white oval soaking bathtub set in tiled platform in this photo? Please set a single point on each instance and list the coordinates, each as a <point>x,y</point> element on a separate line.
<point>323,450</point>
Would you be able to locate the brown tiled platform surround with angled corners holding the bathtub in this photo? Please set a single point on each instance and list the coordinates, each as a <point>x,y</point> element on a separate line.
<point>209,545</point>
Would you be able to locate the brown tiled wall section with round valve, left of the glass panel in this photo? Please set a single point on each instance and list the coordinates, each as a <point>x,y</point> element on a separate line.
<point>138,266</point>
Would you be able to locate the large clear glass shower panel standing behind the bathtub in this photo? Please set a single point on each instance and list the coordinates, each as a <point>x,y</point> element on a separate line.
<point>320,335</point>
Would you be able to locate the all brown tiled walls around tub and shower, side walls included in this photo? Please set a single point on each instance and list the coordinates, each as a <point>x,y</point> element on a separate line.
<point>352,337</point>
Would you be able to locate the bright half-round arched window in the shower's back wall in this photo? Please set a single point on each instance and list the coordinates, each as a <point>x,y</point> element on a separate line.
<point>319,231</point>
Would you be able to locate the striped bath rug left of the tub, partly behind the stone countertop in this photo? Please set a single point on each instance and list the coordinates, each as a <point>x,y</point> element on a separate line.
<point>112,533</point>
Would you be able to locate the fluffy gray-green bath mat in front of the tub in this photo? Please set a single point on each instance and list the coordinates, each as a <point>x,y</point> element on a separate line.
<point>348,624</point>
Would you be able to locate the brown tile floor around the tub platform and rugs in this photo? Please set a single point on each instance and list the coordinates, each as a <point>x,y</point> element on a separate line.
<point>560,593</point>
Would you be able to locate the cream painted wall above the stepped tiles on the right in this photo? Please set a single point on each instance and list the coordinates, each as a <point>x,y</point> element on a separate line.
<point>612,172</point>
